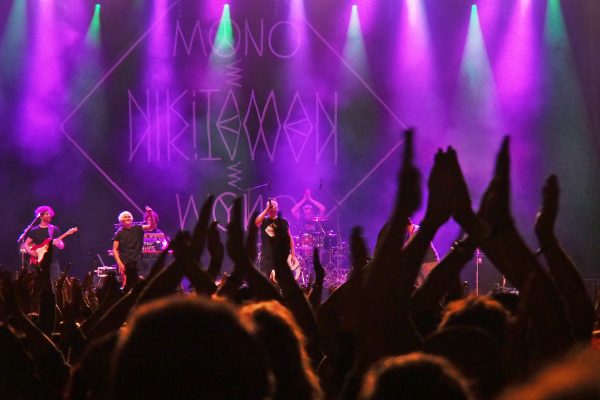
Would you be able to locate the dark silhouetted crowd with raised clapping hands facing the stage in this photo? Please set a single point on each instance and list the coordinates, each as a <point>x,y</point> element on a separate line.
<point>377,336</point>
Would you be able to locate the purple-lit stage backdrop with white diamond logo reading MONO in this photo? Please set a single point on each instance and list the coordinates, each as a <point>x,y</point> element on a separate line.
<point>115,105</point>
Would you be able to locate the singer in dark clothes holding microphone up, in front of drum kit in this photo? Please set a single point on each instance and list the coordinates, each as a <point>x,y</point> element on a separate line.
<point>269,222</point>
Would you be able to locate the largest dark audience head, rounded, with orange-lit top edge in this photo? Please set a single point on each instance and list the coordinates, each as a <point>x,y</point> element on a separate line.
<point>180,347</point>
